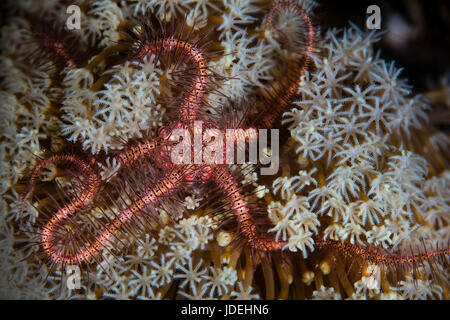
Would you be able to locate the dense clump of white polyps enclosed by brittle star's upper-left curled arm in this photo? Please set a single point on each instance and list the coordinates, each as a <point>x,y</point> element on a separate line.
<point>124,108</point>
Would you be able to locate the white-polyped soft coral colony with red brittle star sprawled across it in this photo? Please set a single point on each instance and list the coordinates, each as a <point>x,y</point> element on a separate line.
<point>136,162</point>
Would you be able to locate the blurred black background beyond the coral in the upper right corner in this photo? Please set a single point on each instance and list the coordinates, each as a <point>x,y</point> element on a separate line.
<point>423,51</point>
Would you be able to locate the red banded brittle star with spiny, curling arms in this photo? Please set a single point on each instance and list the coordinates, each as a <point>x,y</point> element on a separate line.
<point>177,175</point>
